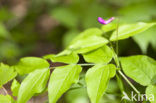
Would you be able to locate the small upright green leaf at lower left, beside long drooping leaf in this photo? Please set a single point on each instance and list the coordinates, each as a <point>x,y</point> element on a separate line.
<point>15,87</point>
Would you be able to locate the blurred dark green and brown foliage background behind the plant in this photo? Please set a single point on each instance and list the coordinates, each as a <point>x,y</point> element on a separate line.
<point>39,27</point>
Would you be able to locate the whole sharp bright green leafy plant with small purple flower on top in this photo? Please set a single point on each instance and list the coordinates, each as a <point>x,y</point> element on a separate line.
<point>97,50</point>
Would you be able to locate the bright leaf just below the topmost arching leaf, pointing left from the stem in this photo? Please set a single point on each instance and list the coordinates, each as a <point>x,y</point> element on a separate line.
<point>88,44</point>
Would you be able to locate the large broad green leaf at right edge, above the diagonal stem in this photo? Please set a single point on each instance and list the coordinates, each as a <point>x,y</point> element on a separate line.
<point>140,68</point>
